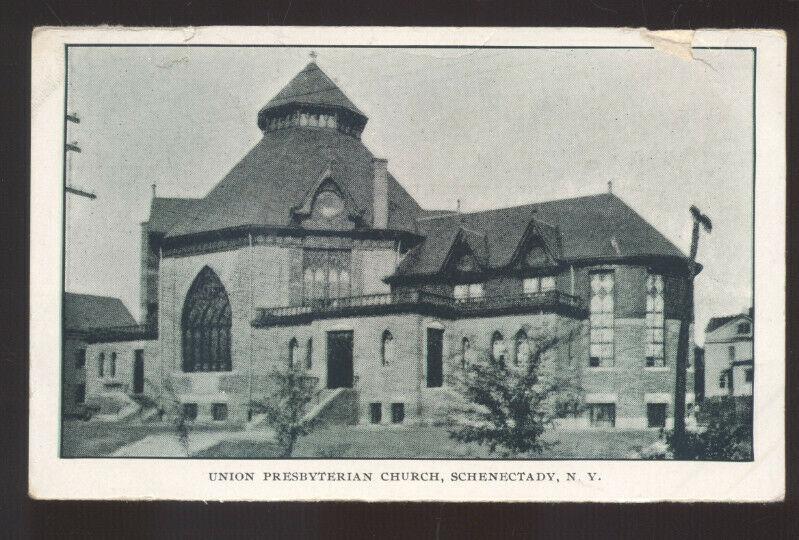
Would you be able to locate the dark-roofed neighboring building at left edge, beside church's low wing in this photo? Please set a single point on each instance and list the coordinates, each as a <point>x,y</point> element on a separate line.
<point>83,315</point>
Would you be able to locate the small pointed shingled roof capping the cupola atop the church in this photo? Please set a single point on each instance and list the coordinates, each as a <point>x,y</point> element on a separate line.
<point>312,86</point>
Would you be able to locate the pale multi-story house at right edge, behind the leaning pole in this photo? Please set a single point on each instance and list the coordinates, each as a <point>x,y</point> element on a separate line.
<point>729,358</point>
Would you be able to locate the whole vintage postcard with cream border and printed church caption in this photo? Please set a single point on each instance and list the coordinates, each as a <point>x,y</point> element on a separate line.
<point>407,264</point>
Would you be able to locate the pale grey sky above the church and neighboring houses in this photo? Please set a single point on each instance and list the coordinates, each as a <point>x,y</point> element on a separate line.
<point>491,127</point>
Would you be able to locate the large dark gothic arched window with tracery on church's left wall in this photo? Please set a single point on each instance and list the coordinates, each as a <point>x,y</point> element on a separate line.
<point>206,325</point>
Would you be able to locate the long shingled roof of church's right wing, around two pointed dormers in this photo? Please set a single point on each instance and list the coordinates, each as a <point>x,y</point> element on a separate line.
<point>593,227</point>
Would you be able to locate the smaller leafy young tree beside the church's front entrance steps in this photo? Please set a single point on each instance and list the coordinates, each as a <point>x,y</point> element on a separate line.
<point>287,406</point>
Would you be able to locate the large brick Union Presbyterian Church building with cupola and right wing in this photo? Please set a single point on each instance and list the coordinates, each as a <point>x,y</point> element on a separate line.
<point>309,252</point>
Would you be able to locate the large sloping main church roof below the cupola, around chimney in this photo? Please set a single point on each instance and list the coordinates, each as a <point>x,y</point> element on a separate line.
<point>277,173</point>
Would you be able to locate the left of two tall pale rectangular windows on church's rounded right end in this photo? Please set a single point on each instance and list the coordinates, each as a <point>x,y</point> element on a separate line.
<point>602,318</point>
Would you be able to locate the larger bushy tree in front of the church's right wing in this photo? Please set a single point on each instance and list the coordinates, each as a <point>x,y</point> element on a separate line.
<point>507,404</point>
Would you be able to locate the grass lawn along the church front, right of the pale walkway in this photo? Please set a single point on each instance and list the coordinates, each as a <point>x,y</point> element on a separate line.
<point>431,442</point>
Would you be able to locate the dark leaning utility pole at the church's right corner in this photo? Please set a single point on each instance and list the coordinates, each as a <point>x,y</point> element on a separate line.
<point>682,344</point>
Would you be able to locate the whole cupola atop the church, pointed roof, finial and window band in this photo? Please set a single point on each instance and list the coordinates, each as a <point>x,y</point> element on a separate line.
<point>311,99</point>
